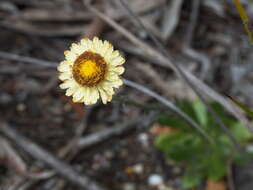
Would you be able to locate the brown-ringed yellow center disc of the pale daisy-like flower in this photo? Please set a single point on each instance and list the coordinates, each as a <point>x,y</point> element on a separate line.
<point>89,69</point>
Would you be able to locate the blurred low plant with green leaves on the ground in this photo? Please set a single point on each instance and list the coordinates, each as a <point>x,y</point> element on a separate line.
<point>187,147</point>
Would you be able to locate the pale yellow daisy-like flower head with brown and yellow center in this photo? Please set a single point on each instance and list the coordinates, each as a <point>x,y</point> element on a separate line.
<point>91,69</point>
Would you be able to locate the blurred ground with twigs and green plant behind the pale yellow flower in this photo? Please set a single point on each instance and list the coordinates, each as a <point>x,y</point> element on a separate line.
<point>136,142</point>
